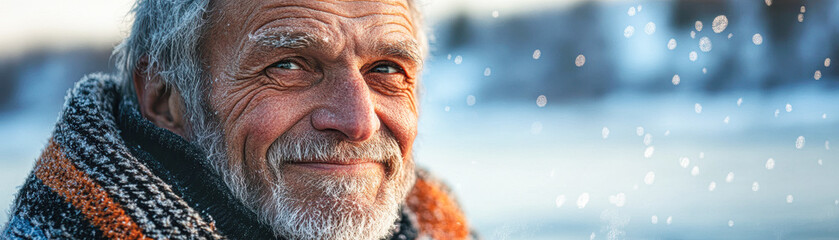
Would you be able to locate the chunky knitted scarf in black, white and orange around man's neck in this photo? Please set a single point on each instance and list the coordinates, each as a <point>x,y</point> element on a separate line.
<point>107,172</point>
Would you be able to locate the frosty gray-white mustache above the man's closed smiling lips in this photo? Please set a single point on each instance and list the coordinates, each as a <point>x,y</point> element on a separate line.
<point>322,147</point>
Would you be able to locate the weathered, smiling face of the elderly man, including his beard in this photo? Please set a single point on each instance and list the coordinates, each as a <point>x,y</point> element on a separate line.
<point>317,103</point>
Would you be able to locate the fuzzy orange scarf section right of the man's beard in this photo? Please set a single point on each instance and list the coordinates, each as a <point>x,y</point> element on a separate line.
<point>437,212</point>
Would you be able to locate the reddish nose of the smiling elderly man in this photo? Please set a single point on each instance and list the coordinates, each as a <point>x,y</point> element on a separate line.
<point>349,108</point>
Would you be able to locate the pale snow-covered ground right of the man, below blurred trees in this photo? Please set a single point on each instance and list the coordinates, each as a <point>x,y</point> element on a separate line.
<point>522,171</point>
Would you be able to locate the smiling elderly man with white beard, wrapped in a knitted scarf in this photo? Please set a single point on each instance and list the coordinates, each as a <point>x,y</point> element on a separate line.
<point>247,120</point>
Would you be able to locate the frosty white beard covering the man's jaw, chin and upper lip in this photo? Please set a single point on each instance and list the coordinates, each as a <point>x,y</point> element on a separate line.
<point>332,207</point>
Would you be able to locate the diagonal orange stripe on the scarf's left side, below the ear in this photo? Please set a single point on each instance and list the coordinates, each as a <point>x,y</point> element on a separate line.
<point>84,194</point>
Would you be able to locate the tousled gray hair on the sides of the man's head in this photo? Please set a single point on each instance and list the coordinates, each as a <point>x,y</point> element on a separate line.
<point>167,34</point>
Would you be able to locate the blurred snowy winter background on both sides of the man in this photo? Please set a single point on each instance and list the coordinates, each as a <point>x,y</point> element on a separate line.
<point>565,119</point>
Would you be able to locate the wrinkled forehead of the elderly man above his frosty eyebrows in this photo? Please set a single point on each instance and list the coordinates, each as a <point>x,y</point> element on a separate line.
<point>325,18</point>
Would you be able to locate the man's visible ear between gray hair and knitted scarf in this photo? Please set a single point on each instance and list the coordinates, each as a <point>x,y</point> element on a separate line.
<point>159,103</point>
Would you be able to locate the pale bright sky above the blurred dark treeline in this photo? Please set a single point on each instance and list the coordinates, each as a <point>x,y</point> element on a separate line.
<point>60,24</point>
